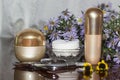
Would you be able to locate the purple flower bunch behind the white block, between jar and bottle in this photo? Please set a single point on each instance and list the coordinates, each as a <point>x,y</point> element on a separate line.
<point>64,27</point>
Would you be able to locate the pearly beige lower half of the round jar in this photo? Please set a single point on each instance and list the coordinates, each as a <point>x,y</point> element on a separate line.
<point>29,54</point>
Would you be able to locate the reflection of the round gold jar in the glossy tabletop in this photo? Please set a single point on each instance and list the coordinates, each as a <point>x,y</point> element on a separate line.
<point>27,75</point>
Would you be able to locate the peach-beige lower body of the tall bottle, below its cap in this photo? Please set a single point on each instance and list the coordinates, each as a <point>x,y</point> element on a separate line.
<point>92,48</point>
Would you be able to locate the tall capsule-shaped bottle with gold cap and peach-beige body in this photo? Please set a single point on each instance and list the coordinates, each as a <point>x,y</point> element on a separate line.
<point>93,35</point>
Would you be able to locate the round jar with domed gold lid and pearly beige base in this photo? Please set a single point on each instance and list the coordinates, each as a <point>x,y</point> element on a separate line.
<point>29,45</point>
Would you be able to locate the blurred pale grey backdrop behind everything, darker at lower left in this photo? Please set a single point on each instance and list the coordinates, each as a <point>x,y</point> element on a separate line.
<point>16,15</point>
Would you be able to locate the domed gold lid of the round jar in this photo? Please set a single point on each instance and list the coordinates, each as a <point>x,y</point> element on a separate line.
<point>30,37</point>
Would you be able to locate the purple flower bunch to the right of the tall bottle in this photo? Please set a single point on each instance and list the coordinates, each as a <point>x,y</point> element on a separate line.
<point>111,33</point>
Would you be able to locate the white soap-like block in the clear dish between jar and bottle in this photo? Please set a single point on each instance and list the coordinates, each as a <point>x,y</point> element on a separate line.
<point>65,48</point>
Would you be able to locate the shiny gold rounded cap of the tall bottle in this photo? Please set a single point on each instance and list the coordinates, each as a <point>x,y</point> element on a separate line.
<point>93,21</point>
